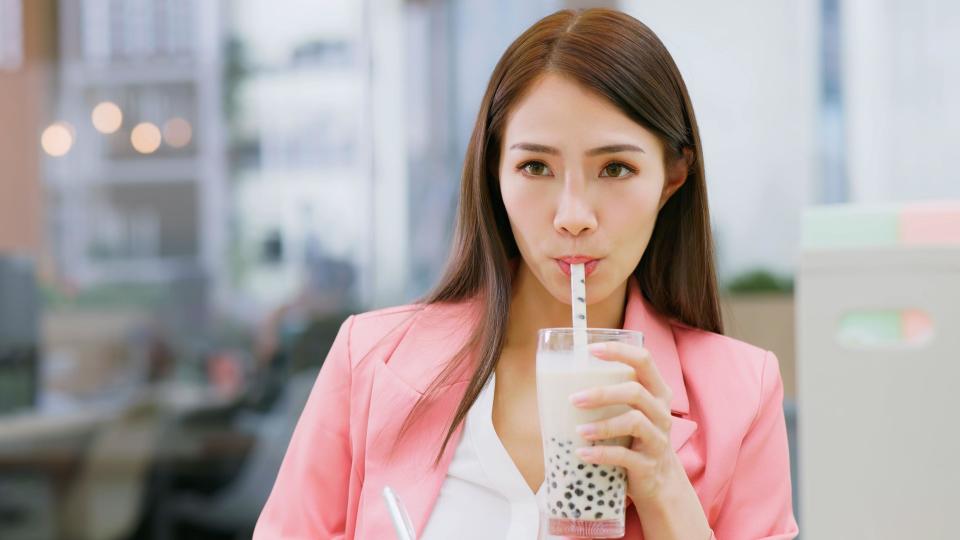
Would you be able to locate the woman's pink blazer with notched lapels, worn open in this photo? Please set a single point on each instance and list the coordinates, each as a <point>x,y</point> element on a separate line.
<point>728,428</point>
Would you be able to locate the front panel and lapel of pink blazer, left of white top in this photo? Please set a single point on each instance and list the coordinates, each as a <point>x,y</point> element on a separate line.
<point>407,464</point>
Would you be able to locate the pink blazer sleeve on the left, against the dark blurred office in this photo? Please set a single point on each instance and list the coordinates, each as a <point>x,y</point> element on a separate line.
<point>309,497</point>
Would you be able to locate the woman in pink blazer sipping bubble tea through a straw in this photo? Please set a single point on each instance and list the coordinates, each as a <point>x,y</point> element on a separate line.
<point>585,146</point>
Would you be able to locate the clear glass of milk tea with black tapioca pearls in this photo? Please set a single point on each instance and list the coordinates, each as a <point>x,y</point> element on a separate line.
<point>582,499</point>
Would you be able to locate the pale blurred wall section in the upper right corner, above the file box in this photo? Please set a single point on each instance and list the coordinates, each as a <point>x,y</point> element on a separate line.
<point>901,79</point>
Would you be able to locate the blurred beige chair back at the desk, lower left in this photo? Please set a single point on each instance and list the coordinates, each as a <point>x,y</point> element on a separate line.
<point>107,498</point>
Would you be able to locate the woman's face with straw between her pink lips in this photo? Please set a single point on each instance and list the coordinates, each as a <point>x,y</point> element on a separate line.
<point>580,179</point>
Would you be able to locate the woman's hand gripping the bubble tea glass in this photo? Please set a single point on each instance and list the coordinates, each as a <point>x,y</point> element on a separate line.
<point>650,461</point>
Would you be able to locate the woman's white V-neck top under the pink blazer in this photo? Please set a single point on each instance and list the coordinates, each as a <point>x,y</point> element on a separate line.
<point>484,495</point>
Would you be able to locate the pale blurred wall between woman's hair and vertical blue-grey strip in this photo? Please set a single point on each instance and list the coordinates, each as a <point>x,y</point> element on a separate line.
<point>752,73</point>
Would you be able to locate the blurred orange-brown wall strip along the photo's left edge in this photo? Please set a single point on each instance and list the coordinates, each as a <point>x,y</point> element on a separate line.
<point>21,113</point>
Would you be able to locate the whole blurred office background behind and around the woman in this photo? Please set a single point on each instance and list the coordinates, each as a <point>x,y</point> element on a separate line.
<point>195,193</point>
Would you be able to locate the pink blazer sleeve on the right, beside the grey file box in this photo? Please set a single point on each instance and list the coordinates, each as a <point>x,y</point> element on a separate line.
<point>758,503</point>
